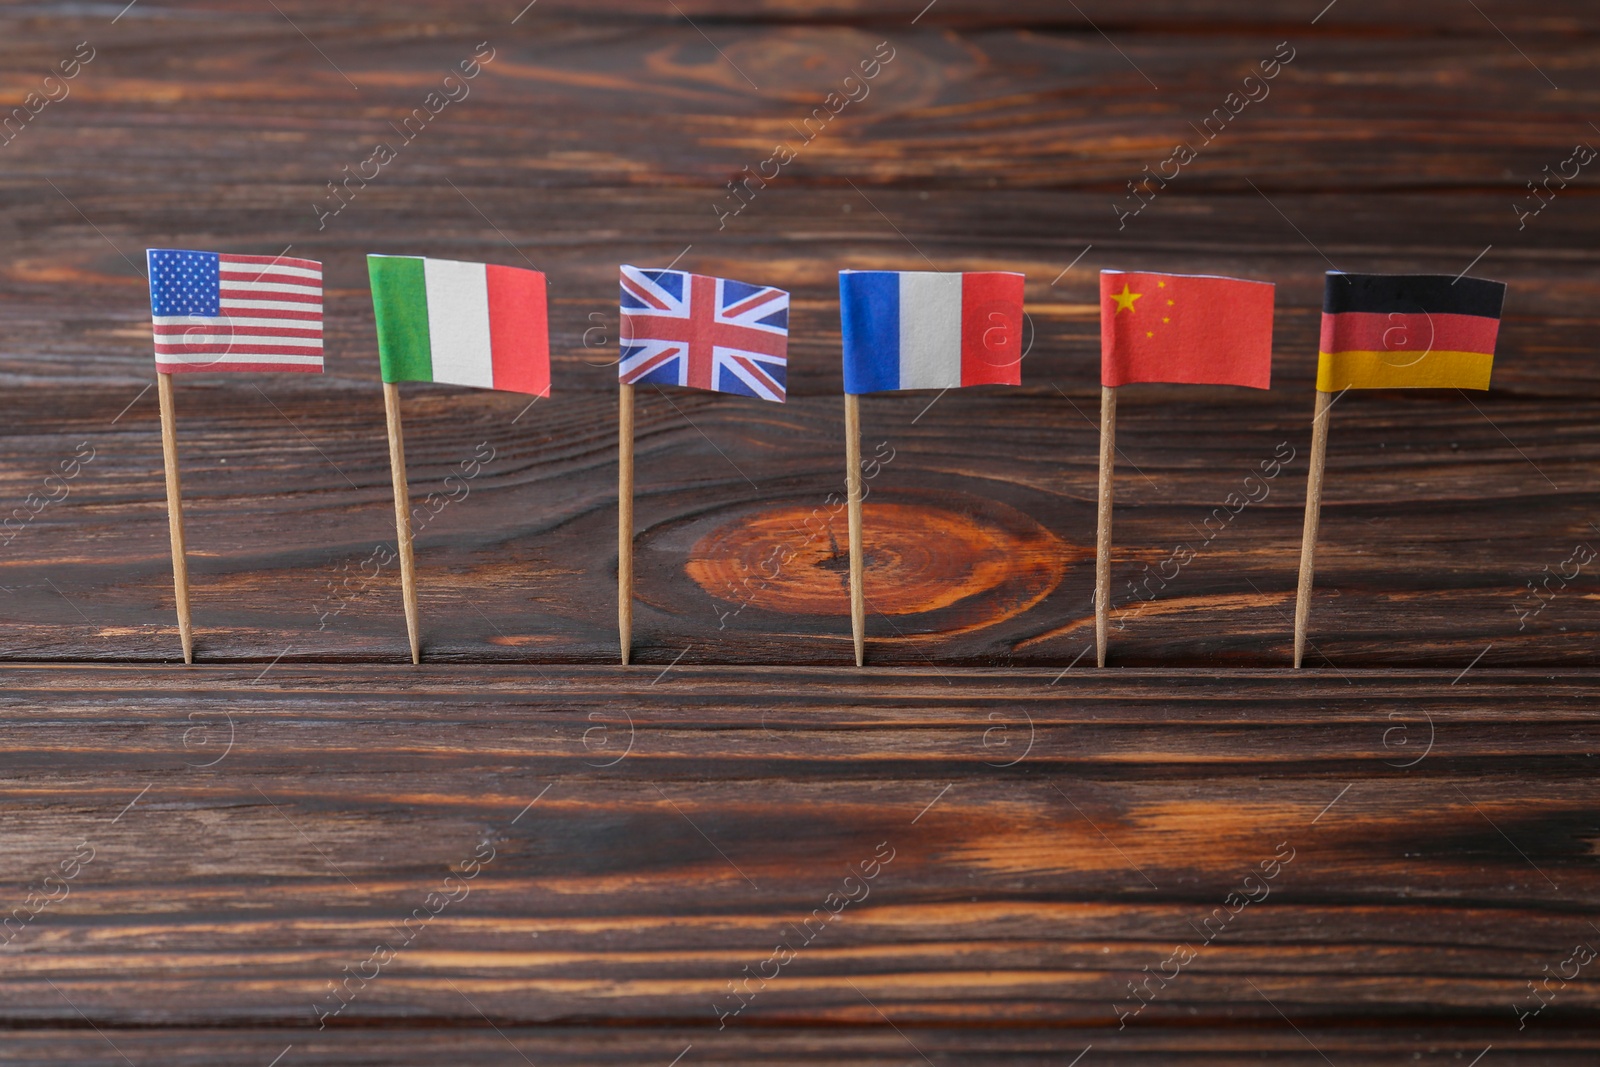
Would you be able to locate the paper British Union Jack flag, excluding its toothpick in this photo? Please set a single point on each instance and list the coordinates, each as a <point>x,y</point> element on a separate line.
<point>711,334</point>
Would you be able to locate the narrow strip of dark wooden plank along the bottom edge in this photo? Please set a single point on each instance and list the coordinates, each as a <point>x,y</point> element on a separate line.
<point>849,1047</point>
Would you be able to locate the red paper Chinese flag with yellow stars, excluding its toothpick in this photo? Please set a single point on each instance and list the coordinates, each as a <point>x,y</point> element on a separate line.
<point>1185,329</point>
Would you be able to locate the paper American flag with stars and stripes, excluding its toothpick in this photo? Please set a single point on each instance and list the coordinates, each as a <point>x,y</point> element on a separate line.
<point>217,313</point>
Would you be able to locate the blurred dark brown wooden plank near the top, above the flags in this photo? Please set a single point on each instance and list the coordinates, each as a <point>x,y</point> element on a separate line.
<point>572,105</point>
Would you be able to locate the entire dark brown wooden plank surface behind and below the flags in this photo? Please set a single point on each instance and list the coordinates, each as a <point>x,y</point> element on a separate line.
<point>265,820</point>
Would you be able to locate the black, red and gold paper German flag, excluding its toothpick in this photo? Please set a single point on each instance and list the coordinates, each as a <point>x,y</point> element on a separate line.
<point>1407,332</point>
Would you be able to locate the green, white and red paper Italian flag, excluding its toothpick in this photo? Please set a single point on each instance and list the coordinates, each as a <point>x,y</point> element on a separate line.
<point>462,324</point>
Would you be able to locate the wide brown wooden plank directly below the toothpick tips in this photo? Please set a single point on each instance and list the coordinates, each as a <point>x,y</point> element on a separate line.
<point>654,833</point>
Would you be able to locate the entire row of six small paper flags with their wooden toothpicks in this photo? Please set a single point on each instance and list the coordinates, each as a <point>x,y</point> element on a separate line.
<point>486,326</point>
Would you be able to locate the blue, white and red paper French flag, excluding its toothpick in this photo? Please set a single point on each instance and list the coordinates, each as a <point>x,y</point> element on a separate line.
<point>930,330</point>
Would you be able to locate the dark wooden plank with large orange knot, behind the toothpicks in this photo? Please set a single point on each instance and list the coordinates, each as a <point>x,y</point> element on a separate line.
<point>738,548</point>
